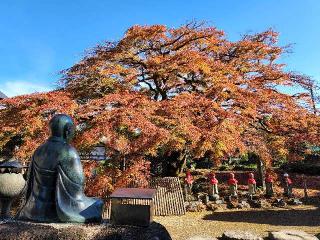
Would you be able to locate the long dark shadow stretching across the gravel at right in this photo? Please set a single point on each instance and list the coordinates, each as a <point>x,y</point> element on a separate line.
<point>292,217</point>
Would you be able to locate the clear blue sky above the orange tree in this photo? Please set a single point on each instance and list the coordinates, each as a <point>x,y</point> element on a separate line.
<point>40,38</point>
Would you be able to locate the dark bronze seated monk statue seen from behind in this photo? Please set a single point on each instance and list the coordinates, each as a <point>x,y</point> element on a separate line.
<point>54,190</point>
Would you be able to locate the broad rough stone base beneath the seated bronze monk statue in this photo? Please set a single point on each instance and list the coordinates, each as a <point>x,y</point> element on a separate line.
<point>14,230</point>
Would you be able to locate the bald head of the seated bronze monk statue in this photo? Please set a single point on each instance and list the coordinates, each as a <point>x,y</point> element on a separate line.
<point>62,126</point>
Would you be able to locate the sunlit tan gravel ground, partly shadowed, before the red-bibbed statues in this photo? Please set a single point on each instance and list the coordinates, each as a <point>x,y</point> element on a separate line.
<point>213,224</point>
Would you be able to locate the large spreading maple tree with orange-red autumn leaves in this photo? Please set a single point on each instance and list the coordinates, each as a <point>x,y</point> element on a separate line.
<point>170,94</point>
